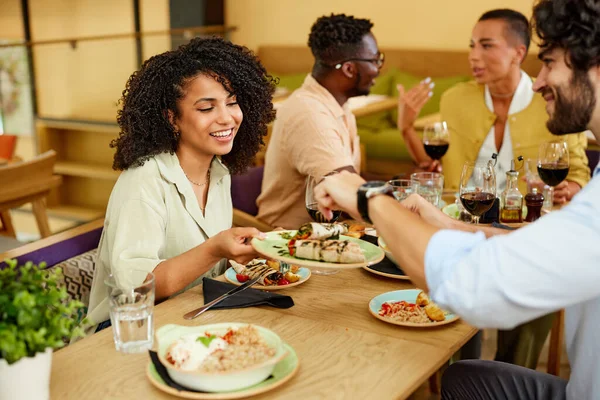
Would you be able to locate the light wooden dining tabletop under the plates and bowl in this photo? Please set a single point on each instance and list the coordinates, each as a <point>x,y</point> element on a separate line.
<point>344,351</point>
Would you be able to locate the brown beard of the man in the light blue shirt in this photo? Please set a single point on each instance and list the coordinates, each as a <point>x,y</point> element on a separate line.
<point>573,113</point>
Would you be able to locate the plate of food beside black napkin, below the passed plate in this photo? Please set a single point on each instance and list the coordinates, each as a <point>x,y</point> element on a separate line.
<point>275,275</point>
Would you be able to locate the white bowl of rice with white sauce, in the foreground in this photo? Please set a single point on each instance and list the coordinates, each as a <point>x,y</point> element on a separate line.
<point>219,357</point>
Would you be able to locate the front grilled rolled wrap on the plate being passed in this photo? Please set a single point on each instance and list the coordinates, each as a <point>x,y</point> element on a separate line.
<point>333,251</point>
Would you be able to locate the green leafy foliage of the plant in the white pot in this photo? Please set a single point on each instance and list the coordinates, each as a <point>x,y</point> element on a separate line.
<point>35,312</point>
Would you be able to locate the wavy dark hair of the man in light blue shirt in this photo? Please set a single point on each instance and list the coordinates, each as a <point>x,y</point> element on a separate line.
<point>572,25</point>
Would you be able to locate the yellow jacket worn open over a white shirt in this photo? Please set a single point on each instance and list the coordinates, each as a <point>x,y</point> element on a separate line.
<point>469,121</point>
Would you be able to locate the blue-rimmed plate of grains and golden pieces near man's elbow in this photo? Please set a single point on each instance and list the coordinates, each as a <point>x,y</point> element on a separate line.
<point>411,307</point>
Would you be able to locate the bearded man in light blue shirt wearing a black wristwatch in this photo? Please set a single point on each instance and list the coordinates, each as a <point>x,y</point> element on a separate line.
<point>498,280</point>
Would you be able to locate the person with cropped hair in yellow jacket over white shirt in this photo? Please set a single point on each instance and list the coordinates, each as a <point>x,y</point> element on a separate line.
<point>498,112</point>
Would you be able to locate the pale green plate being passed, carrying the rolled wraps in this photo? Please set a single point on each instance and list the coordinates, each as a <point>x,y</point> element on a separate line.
<point>275,244</point>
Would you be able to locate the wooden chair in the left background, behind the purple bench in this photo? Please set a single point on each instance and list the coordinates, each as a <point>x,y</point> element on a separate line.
<point>28,182</point>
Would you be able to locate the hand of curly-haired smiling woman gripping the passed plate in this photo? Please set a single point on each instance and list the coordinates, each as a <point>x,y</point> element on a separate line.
<point>234,244</point>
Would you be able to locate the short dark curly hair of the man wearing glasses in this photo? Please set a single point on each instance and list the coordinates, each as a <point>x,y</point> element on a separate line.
<point>336,37</point>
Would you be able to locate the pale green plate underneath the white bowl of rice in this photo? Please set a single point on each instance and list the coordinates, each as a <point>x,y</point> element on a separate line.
<point>283,372</point>
